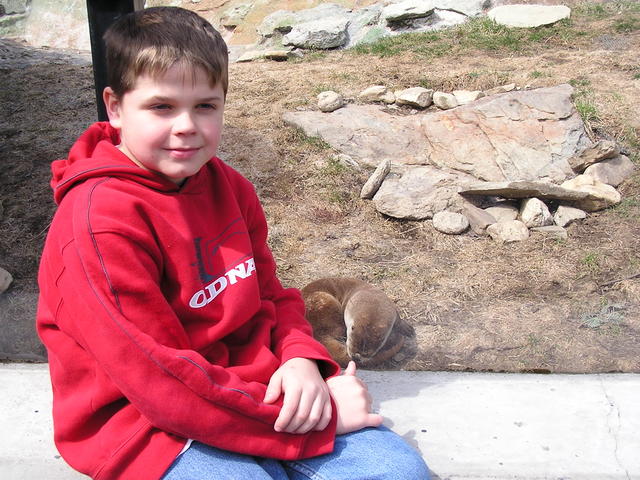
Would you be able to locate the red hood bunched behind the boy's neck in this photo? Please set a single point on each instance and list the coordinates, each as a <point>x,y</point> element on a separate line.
<point>95,154</point>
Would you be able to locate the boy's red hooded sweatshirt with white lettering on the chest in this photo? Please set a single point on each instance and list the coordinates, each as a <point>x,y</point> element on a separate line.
<point>163,317</point>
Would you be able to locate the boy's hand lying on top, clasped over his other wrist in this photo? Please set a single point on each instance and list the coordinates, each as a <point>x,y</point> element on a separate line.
<point>307,404</point>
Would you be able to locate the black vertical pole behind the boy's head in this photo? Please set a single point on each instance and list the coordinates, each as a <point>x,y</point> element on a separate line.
<point>101,14</point>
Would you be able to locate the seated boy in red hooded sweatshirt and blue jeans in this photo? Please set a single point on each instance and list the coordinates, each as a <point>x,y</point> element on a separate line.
<point>174,351</point>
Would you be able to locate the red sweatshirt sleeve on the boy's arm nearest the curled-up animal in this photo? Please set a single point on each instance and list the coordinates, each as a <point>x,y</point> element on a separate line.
<point>292,335</point>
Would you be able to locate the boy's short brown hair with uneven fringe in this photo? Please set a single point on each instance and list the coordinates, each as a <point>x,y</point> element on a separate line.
<point>152,40</point>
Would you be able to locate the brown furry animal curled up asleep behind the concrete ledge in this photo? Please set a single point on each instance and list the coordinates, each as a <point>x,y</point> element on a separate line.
<point>354,320</point>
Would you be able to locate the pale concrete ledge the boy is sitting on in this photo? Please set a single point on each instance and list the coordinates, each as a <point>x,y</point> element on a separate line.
<point>467,426</point>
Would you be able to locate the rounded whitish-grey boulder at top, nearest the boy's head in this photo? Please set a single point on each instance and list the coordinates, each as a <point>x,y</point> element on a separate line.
<point>320,34</point>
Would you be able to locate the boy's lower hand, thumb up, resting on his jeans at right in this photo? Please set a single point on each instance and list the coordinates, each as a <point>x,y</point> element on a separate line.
<point>352,401</point>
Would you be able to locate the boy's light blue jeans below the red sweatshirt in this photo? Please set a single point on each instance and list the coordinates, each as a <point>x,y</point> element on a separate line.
<point>368,454</point>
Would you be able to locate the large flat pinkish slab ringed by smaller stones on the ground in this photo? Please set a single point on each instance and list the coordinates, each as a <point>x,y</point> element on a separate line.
<point>507,163</point>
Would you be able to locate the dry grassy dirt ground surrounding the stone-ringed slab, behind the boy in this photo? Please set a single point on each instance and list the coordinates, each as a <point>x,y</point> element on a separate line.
<point>535,306</point>
